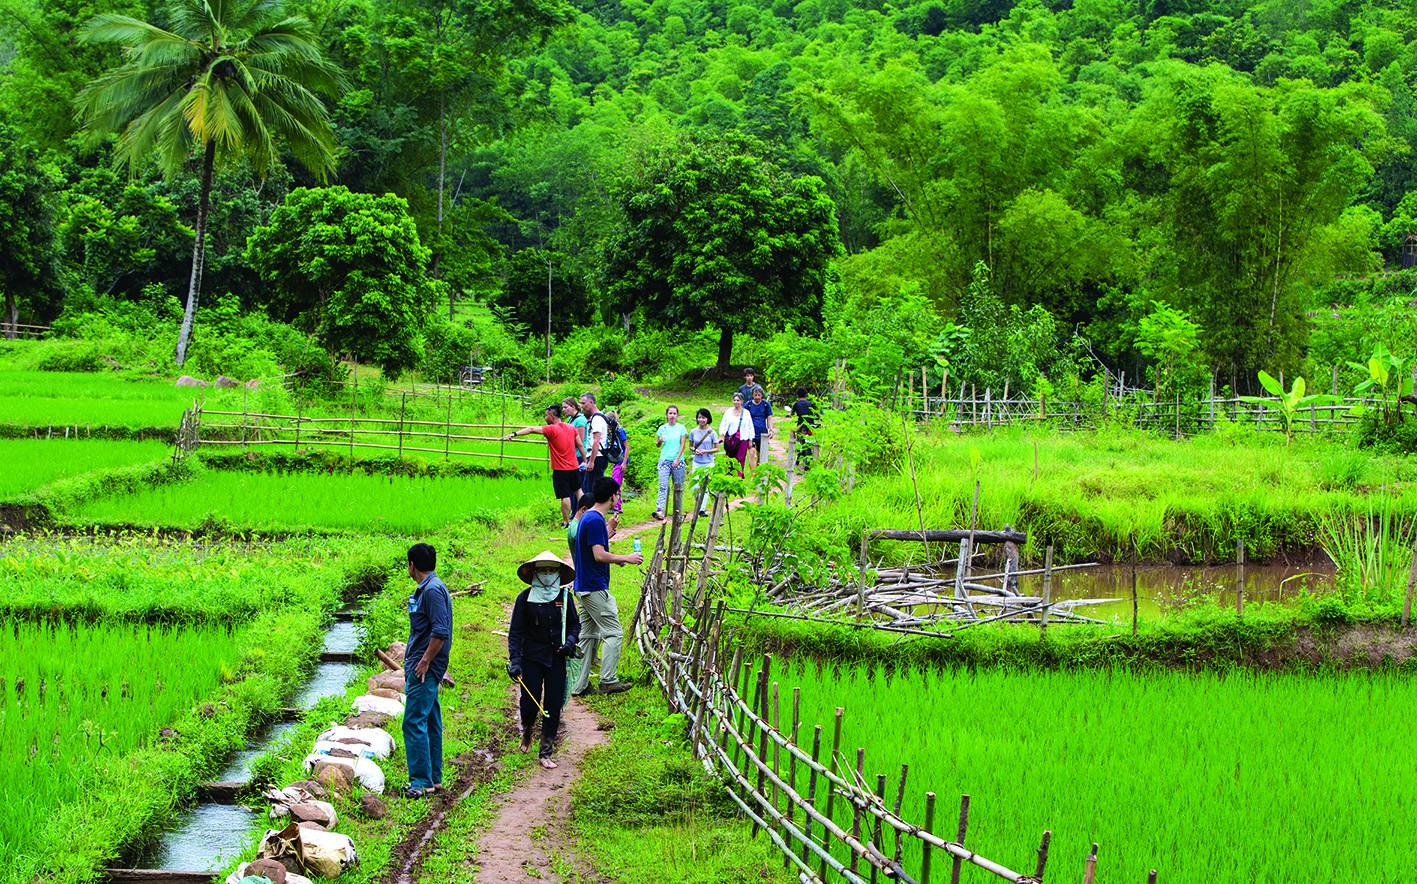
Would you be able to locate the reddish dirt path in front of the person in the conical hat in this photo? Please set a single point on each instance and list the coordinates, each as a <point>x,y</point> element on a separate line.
<point>529,838</point>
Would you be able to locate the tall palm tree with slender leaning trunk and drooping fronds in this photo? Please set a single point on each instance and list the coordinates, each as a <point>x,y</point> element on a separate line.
<point>235,80</point>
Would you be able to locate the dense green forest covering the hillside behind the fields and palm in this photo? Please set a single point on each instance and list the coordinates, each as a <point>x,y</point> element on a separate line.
<point>1007,192</point>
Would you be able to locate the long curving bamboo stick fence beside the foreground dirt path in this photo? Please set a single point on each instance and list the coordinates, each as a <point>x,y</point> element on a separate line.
<point>813,798</point>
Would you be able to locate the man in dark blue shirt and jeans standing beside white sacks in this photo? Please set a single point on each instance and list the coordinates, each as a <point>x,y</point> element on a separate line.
<point>430,638</point>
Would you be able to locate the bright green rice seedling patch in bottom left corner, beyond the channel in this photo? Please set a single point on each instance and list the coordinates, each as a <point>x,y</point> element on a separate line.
<point>79,699</point>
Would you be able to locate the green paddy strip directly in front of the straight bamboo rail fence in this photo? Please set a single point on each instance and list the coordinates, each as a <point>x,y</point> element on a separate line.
<point>301,502</point>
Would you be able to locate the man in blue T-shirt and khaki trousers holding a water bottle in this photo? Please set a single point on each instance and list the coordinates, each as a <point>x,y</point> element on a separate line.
<point>600,618</point>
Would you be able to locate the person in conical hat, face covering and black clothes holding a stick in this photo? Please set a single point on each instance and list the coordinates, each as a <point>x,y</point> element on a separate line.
<point>542,637</point>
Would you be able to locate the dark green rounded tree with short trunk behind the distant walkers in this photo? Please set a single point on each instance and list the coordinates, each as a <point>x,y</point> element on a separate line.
<point>716,236</point>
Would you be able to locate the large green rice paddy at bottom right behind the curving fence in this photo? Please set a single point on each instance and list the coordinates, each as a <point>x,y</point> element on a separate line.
<point>1208,778</point>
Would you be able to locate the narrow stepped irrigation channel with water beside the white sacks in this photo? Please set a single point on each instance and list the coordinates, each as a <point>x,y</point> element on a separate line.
<point>206,838</point>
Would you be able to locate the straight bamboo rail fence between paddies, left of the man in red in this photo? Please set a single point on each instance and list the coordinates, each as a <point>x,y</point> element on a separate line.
<point>355,434</point>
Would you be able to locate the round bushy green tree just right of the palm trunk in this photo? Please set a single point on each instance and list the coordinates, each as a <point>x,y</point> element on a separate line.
<point>349,268</point>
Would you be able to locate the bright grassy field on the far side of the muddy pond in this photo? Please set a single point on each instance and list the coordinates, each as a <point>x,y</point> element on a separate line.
<point>1187,501</point>
